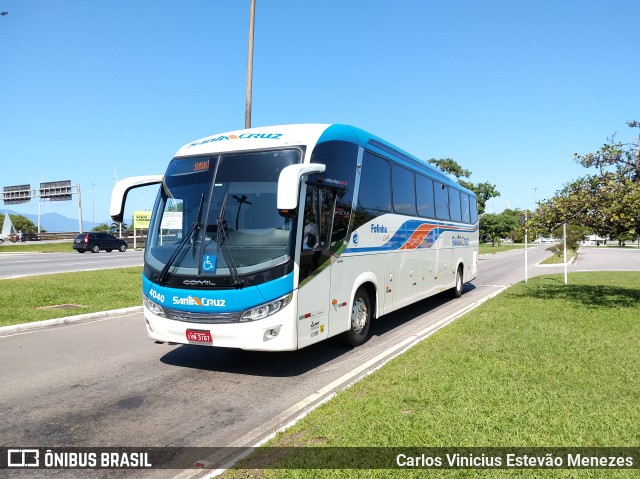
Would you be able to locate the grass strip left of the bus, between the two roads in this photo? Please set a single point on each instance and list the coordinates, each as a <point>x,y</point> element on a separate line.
<point>93,290</point>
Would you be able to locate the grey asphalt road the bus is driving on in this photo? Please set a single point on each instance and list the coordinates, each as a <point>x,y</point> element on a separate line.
<point>106,384</point>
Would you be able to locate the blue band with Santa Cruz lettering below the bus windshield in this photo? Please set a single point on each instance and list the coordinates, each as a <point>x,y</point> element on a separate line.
<point>218,300</point>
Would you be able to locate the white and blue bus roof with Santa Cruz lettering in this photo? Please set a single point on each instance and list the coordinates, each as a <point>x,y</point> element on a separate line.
<point>308,134</point>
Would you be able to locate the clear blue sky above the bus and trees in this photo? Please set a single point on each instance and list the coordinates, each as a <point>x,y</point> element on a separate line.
<point>94,90</point>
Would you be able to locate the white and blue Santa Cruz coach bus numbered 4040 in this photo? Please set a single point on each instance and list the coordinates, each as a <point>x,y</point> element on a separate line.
<point>276,238</point>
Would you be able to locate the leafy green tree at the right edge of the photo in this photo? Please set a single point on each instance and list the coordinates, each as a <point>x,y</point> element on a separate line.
<point>607,201</point>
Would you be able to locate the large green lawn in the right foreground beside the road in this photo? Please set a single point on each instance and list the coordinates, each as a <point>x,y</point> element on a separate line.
<point>541,365</point>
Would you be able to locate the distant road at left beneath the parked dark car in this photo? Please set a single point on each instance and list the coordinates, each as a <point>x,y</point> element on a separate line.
<point>15,265</point>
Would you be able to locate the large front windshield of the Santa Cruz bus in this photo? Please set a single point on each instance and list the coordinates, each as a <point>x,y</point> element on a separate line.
<point>216,216</point>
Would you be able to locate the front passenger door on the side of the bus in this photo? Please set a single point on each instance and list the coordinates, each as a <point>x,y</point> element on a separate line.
<point>315,259</point>
